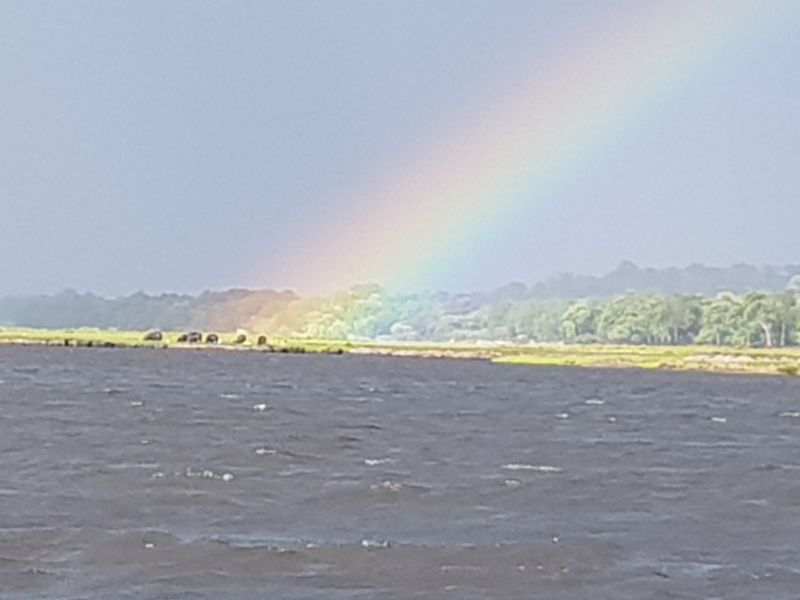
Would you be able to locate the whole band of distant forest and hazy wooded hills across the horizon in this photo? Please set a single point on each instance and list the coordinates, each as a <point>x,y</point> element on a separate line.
<point>740,305</point>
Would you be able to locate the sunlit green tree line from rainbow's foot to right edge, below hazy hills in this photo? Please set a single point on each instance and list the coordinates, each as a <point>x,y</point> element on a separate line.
<point>753,319</point>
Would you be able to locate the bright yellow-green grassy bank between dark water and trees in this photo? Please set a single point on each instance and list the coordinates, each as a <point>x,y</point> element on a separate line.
<point>687,358</point>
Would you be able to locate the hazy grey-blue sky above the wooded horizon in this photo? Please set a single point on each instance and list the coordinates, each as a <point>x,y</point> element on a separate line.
<point>183,146</point>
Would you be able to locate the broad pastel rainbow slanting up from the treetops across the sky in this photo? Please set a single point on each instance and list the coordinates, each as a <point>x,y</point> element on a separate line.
<point>402,231</point>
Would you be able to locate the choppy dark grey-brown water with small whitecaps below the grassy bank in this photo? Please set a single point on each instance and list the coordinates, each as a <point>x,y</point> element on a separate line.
<point>171,474</point>
